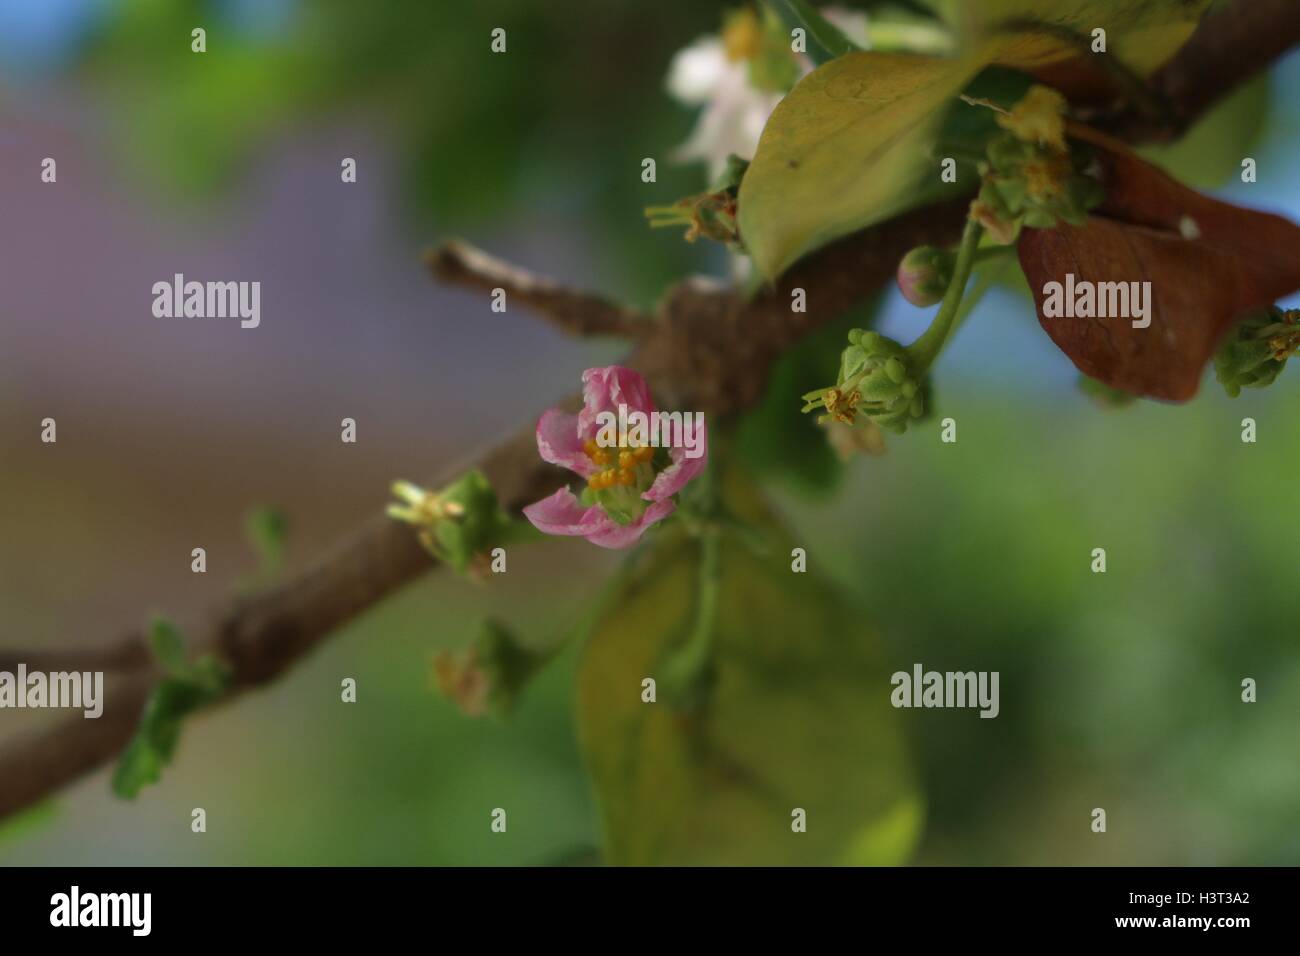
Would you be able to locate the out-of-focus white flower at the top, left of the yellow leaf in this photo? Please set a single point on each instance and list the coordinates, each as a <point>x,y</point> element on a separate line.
<point>735,113</point>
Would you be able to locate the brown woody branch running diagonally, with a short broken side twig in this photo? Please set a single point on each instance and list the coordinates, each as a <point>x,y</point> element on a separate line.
<point>709,352</point>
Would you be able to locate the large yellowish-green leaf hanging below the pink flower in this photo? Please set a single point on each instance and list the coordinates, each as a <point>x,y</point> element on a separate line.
<point>799,716</point>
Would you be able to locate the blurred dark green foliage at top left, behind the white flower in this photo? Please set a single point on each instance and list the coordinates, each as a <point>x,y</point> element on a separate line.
<point>552,131</point>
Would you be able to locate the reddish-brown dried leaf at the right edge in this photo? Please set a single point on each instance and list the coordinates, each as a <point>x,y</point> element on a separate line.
<point>1207,262</point>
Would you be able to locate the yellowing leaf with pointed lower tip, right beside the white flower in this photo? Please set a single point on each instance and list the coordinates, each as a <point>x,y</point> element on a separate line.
<point>844,150</point>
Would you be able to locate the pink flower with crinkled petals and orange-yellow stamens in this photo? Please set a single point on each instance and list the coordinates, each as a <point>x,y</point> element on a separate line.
<point>631,478</point>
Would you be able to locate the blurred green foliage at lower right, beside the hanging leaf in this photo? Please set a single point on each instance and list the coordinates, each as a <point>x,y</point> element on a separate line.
<point>1120,690</point>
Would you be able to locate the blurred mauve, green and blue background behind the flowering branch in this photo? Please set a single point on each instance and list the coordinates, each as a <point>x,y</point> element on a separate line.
<point>1119,691</point>
